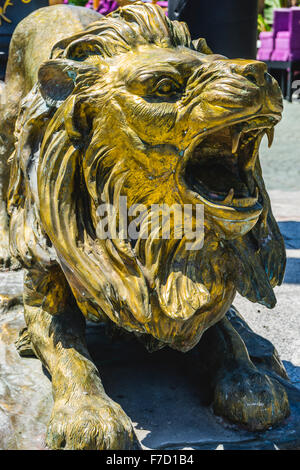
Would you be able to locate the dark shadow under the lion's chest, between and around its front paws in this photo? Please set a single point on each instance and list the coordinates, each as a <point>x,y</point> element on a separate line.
<point>163,393</point>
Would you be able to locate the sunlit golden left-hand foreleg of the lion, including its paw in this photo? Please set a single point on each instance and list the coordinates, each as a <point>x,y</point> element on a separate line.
<point>83,417</point>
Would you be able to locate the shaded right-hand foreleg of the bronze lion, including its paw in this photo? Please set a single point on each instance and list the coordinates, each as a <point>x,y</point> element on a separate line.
<point>241,393</point>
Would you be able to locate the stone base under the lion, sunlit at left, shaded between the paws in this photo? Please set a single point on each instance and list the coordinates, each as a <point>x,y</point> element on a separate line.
<point>167,403</point>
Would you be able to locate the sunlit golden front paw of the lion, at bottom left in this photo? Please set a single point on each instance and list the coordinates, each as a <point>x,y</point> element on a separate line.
<point>90,423</point>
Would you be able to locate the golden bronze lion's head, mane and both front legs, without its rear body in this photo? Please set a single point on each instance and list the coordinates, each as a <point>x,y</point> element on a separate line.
<point>131,106</point>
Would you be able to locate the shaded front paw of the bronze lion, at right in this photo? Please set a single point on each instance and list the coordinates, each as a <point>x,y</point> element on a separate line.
<point>248,397</point>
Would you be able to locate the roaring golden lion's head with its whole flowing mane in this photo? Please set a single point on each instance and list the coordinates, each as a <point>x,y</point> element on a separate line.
<point>132,106</point>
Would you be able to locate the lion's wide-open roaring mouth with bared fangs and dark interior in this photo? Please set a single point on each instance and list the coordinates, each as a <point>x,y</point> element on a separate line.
<point>220,168</point>
